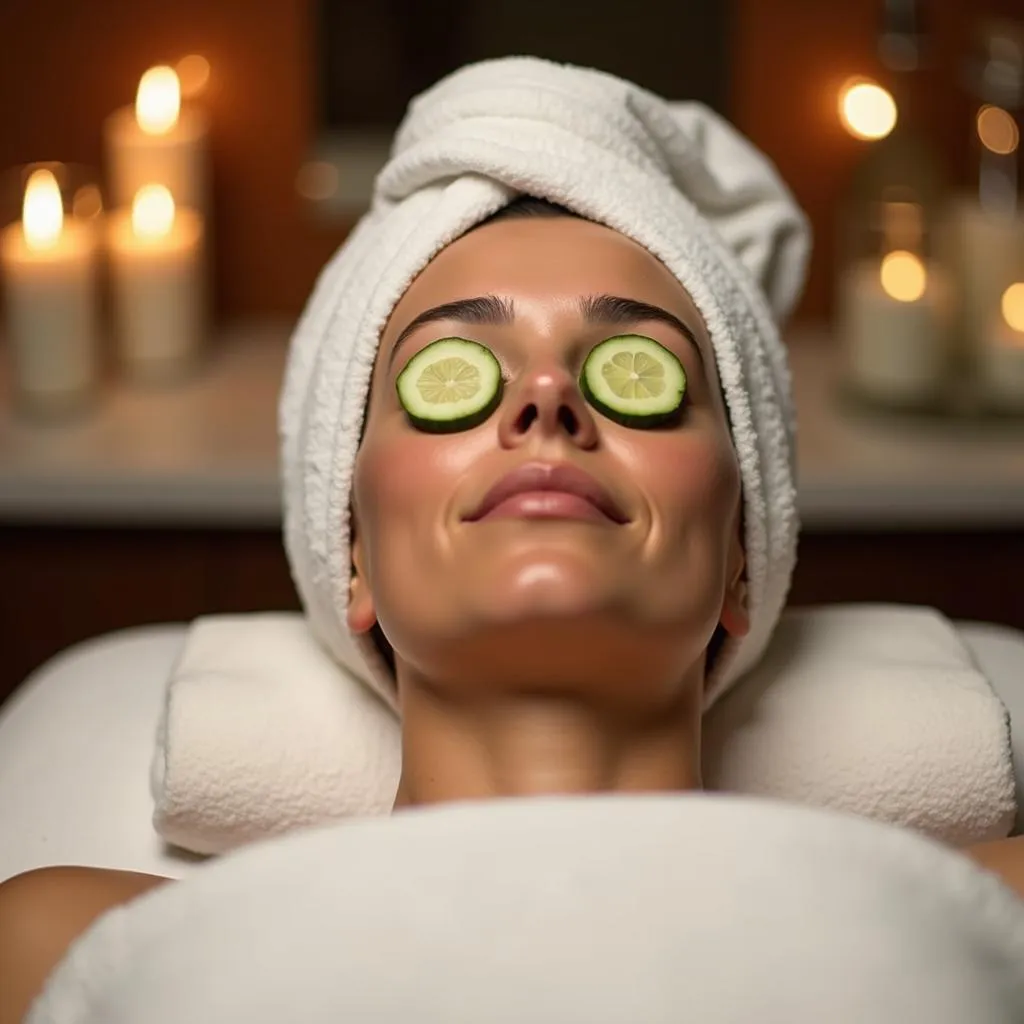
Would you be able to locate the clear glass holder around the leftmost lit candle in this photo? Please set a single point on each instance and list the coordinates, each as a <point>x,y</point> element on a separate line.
<point>51,227</point>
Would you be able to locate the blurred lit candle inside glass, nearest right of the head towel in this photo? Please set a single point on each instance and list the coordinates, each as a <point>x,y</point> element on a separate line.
<point>893,317</point>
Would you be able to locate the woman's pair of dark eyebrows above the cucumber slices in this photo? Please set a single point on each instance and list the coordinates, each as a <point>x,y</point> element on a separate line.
<point>613,311</point>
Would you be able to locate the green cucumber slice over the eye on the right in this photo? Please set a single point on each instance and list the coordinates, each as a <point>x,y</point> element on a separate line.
<point>633,380</point>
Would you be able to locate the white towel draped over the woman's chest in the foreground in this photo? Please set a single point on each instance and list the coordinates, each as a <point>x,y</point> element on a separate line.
<point>610,911</point>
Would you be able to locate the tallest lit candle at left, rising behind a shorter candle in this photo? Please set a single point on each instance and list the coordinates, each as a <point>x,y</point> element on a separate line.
<point>158,143</point>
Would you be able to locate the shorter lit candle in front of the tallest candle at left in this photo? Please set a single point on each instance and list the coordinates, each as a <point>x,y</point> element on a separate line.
<point>156,270</point>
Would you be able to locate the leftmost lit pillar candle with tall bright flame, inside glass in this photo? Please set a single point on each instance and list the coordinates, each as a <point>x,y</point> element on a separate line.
<point>50,273</point>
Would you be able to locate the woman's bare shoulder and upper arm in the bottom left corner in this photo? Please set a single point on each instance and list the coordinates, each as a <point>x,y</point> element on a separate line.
<point>42,913</point>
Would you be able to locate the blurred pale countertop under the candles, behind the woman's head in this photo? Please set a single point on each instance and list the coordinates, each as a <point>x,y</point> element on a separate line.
<point>204,453</point>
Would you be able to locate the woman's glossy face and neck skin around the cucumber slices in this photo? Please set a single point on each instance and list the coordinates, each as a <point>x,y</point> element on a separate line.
<point>537,652</point>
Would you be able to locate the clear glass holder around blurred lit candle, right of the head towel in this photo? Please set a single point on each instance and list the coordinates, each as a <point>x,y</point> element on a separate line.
<point>894,306</point>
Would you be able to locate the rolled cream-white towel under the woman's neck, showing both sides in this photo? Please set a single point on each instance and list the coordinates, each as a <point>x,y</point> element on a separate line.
<point>873,710</point>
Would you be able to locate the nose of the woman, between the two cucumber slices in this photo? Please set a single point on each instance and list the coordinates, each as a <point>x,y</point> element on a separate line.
<point>547,402</point>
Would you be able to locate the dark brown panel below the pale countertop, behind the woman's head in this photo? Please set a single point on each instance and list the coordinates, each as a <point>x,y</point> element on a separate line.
<point>64,586</point>
